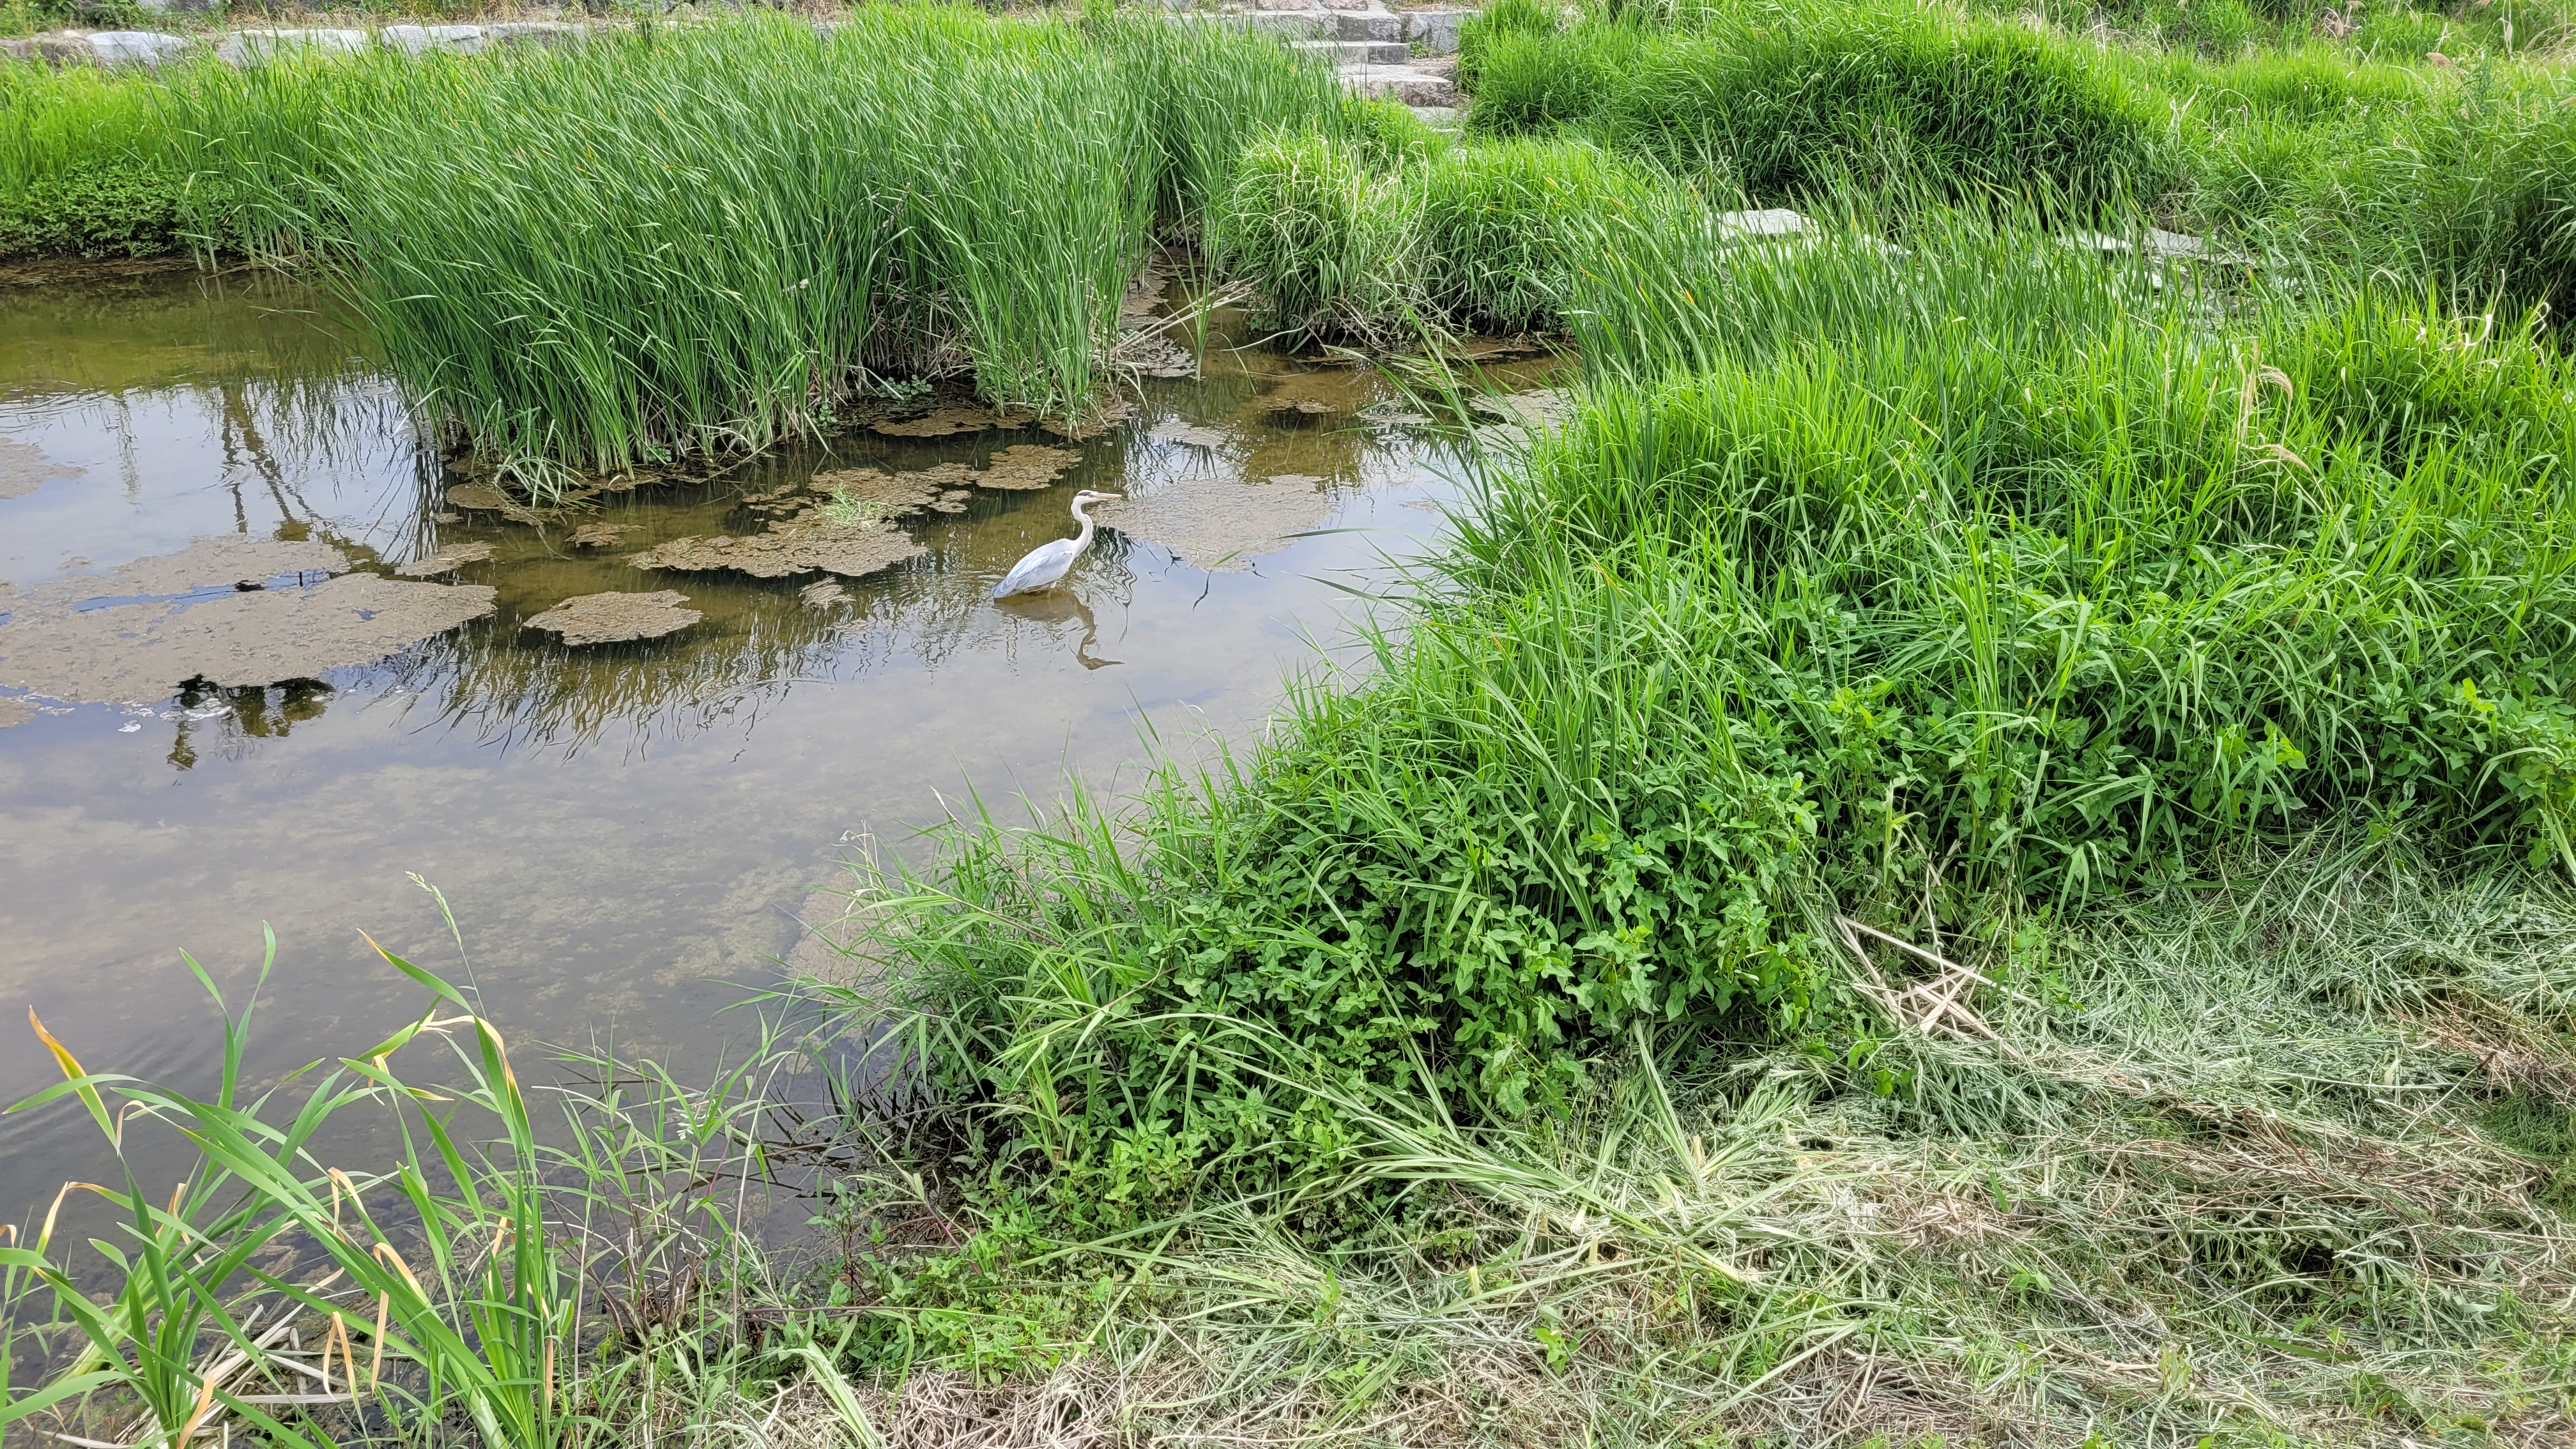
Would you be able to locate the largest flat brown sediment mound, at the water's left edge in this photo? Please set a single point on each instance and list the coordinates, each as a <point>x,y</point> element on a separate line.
<point>176,633</point>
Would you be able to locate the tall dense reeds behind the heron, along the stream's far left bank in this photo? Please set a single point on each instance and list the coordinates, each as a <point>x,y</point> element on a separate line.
<point>705,241</point>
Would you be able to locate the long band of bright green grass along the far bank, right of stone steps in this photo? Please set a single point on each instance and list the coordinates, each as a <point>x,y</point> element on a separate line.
<point>2299,153</point>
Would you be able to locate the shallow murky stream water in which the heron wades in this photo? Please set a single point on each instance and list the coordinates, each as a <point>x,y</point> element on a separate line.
<point>627,831</point>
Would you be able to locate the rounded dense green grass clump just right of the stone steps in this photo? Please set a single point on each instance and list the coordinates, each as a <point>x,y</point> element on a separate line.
<point>1784,102</point>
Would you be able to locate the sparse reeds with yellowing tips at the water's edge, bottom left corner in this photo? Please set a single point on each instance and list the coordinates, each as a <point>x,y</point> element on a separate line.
<point>478,1280</point>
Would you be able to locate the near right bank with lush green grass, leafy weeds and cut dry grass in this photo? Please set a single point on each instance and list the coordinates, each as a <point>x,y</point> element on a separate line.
<point>1488,1056</point>
